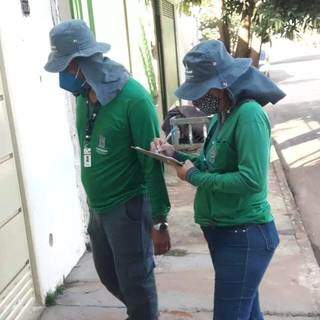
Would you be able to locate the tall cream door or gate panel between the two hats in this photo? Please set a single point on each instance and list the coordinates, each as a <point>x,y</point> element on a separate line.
<point>167,49</point>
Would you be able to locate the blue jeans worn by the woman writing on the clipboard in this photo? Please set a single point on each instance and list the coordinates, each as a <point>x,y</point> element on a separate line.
<point>240,257</point>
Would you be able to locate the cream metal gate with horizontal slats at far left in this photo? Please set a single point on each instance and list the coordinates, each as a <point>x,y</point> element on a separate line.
<point>17,295</point>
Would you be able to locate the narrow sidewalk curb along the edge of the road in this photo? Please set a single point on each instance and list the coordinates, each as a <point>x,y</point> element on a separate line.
<point>299,230</point>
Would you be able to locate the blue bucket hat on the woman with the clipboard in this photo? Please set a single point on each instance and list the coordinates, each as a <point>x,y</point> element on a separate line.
<point>209,65</point>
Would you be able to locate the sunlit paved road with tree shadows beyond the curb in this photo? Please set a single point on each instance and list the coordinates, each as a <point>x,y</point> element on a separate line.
<point>296,129</point>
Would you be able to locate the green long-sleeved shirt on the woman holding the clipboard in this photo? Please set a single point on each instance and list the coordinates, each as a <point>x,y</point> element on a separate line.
<point>232,170</point>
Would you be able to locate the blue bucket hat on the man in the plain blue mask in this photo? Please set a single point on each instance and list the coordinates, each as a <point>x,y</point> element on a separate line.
<point>69,40</point>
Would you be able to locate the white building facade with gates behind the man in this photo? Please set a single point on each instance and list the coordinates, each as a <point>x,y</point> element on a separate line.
<point>42,204</point>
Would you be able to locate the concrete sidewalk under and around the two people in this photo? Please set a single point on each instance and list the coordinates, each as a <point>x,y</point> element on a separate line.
<point>290,290</point>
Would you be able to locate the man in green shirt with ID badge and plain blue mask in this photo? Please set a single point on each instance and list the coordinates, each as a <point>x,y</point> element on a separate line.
<point>126,192</point>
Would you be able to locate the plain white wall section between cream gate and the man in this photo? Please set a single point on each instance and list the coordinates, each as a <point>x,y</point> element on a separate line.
<point>44,141</point>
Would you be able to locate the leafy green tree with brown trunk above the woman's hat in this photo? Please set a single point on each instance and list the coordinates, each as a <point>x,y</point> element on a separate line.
<point>259,20</point>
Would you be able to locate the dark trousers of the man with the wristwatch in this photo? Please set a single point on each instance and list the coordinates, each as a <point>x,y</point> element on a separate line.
<point>123,256</point>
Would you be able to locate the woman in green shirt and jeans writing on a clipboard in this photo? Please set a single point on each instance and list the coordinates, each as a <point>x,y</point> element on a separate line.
<point>231,174</point>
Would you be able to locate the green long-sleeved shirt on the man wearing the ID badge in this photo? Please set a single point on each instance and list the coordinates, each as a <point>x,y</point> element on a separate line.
<point>117,172</point>
